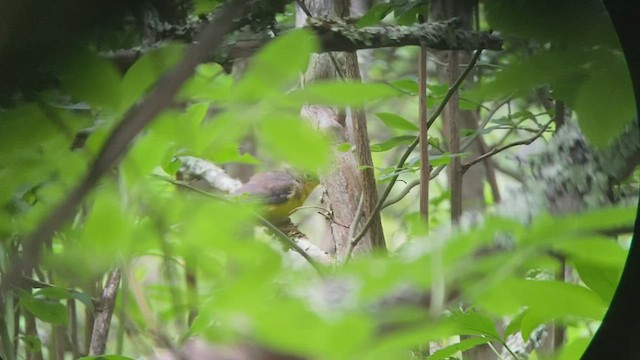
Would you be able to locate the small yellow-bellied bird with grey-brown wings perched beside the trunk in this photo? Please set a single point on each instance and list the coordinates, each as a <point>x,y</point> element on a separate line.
<point>278,192</point>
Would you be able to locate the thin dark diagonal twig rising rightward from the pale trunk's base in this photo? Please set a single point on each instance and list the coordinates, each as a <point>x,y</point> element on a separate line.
<point>413,144</point>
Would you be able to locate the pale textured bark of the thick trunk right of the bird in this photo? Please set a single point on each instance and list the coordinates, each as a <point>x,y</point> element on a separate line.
<point>347,181</point>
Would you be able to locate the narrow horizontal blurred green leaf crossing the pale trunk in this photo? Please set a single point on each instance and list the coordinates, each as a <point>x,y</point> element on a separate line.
<point>344,93</point>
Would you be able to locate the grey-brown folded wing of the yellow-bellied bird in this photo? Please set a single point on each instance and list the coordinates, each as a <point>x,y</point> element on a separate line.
<point>269,187</point>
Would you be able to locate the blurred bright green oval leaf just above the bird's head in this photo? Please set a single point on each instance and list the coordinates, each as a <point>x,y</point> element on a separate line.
<point>291,139</point>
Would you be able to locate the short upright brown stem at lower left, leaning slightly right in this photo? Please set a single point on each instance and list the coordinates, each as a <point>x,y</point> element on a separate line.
<point>102,322</point>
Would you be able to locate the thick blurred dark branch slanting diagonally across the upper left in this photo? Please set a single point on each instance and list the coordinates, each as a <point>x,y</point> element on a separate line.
<point>115,146</point>
